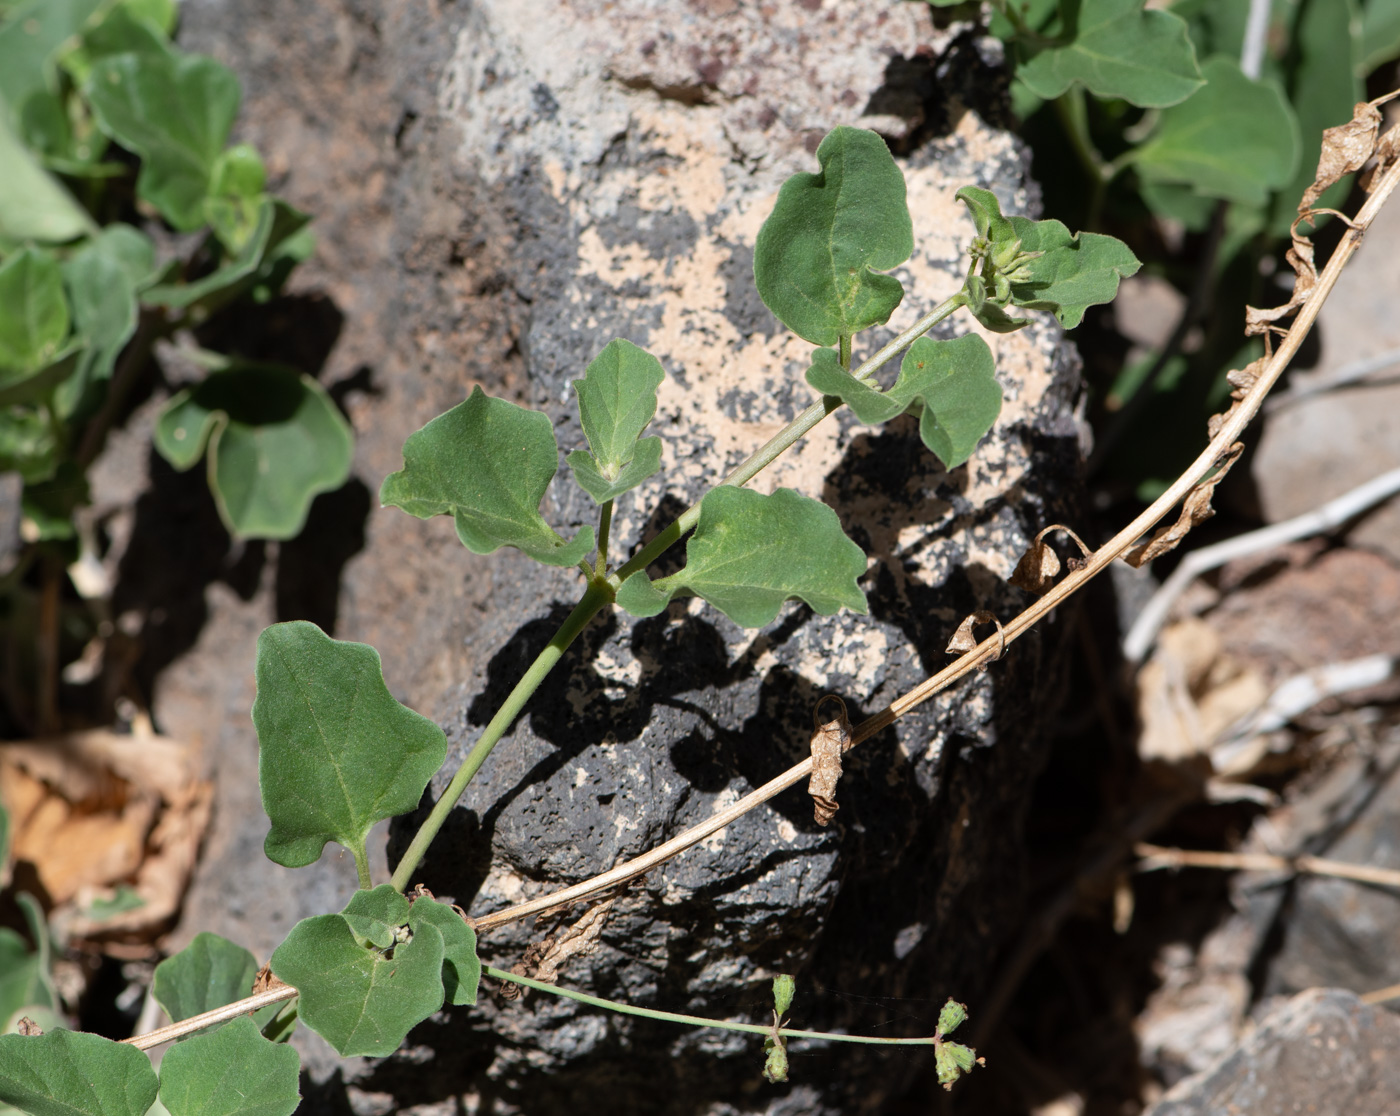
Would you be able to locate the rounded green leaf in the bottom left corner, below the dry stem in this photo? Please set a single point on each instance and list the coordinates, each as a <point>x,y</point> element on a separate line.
<point>68,1073</point>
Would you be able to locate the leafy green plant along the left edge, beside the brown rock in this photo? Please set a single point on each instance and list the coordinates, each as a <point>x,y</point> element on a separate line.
<point>125,218</point>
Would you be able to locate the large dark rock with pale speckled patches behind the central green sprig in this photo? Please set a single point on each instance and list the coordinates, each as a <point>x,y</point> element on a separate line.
<point>545,177</point>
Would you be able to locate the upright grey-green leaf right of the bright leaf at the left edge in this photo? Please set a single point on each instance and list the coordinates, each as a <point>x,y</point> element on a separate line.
<point>103,281</point>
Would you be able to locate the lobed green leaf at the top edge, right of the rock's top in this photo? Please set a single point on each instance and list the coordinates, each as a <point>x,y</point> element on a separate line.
<point>1116,50</point>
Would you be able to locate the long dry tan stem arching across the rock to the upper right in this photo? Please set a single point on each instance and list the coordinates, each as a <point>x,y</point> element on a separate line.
<point>1224,436</point>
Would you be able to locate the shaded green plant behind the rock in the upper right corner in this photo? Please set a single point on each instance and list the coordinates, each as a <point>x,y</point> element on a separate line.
<point>1193,130</point>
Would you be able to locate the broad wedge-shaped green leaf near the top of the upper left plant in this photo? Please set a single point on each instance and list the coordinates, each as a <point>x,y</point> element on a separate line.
<point>176,113</point>
